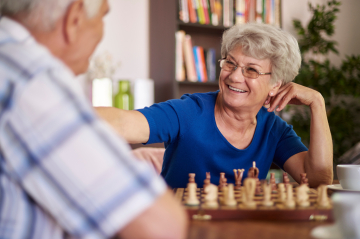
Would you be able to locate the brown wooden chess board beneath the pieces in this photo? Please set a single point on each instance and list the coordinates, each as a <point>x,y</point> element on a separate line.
<point>276,212</point>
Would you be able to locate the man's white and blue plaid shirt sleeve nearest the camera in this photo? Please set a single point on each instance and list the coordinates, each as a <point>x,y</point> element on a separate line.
<point>70,162</point>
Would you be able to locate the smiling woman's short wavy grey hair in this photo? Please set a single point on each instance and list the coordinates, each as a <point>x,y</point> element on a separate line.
<point>264,41</point>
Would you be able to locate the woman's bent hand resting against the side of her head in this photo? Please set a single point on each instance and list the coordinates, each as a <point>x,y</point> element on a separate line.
<point>292,93</point>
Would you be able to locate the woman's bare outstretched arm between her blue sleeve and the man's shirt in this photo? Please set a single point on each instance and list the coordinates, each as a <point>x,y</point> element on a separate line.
<point>130,124</point>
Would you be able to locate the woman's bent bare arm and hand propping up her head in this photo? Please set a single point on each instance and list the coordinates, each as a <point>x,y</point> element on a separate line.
<point>317,162</point>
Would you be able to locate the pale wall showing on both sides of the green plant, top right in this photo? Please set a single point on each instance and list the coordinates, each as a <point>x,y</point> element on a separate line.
<point>347,25</point>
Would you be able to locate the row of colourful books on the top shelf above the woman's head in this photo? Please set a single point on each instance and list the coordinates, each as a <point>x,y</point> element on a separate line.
<point>230,12</point>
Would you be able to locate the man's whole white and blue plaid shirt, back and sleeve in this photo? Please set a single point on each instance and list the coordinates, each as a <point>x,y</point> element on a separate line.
<point>64,173</point>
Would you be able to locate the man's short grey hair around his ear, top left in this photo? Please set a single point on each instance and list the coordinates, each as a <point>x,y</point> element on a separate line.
<point>43,14</point>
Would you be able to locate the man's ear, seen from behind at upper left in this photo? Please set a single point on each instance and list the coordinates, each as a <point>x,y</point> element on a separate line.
<point>73,20</point>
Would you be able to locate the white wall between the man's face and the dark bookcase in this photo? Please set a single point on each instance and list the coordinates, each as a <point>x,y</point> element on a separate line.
<point>126,38</point>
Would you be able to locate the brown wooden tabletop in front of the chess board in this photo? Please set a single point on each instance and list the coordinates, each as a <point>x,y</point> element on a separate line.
<point>245,229</point>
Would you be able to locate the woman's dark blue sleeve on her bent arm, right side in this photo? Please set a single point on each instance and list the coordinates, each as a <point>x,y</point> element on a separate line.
<point>288,145</point>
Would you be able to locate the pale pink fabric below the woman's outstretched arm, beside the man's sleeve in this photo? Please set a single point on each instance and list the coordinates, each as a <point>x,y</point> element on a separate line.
<point>154,156</point>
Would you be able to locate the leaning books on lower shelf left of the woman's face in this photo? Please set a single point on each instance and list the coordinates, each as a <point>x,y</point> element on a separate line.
<point>193,63</point>
